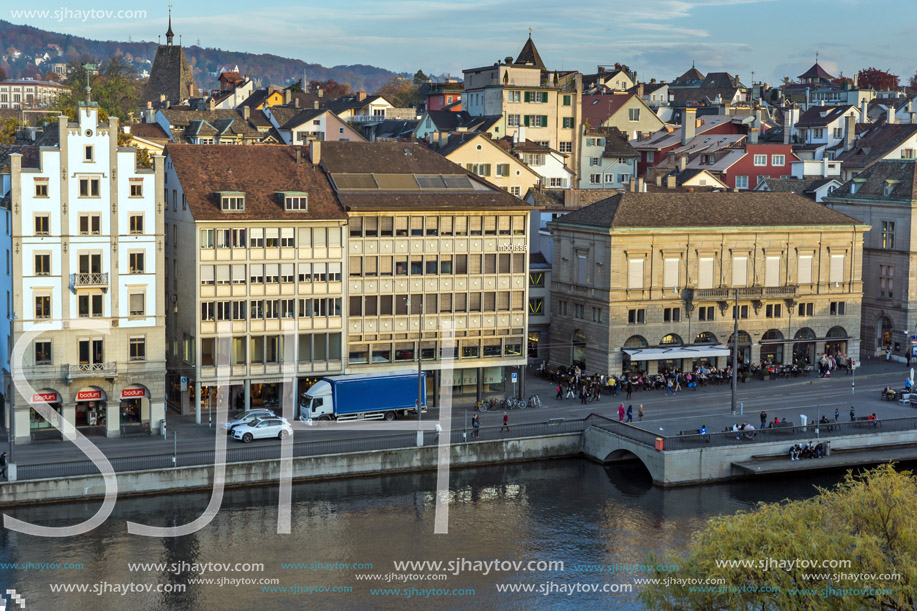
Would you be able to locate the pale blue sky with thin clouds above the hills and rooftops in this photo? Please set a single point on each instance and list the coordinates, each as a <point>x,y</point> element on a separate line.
<point>658,38</point>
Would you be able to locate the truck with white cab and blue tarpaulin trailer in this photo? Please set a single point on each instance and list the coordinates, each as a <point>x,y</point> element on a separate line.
<point>363,397</point>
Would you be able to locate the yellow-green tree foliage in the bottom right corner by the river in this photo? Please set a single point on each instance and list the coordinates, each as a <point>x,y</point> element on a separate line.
<point>870,520</point>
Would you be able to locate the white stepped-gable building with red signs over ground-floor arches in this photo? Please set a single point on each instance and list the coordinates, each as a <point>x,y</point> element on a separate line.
<point>87,231</point>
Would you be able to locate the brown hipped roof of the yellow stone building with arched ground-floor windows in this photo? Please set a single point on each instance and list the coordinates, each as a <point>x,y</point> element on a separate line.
<point>675,210</point>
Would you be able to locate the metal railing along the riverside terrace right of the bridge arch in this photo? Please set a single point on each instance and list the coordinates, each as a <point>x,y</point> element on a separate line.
<point>791,434</point>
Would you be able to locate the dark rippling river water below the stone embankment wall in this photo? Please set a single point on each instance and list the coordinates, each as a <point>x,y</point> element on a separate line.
<point>572,511</point>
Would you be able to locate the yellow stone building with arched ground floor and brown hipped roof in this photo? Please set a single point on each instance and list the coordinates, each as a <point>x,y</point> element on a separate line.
<point>650,281</point>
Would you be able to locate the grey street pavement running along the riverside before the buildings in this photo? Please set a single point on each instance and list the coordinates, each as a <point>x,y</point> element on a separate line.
<point>665,415</point>
